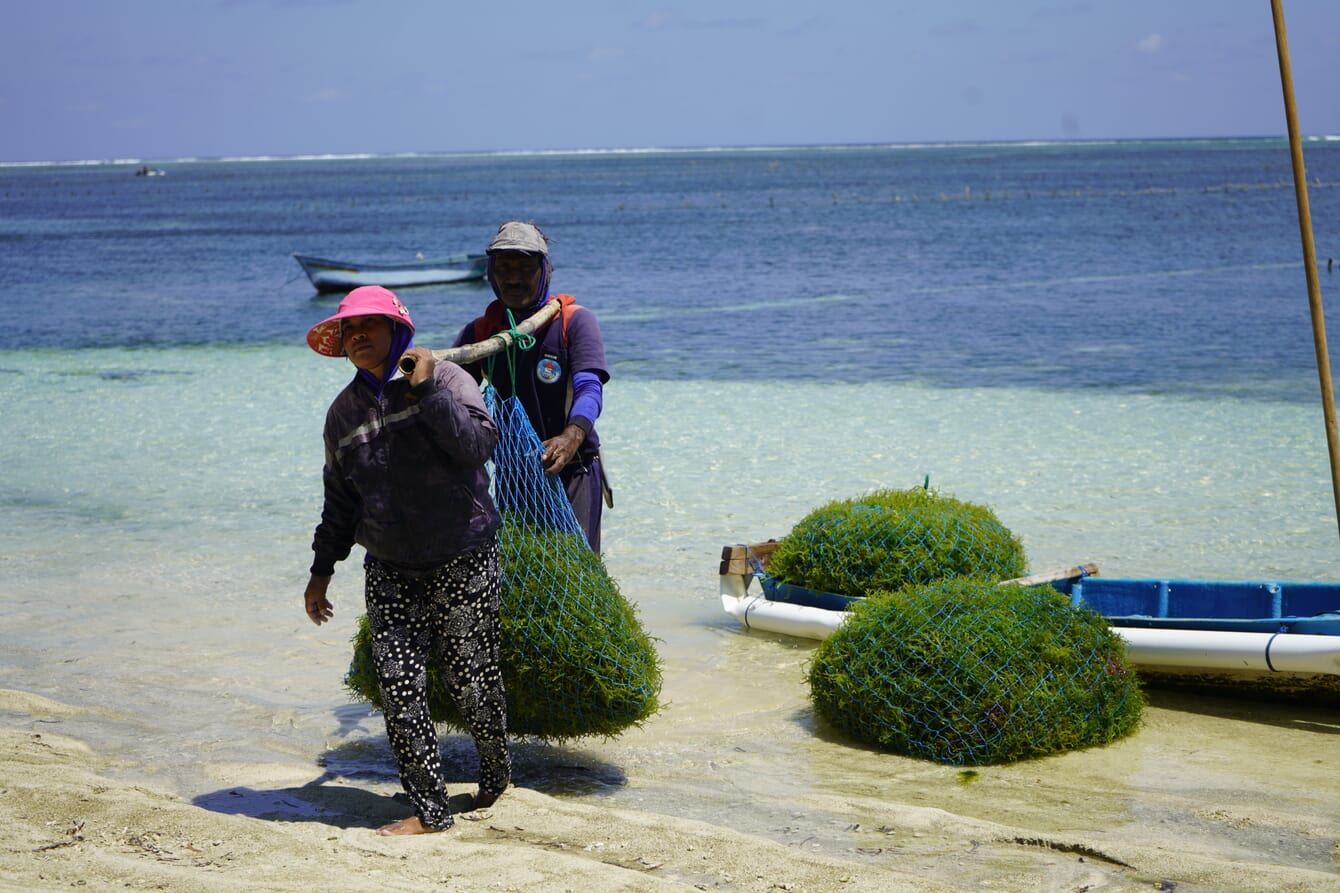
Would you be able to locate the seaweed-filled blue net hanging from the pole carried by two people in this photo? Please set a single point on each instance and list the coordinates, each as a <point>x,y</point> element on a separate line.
<point>576,658</point>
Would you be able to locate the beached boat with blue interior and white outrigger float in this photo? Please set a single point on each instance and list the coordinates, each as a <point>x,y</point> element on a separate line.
<point>1271,636</point>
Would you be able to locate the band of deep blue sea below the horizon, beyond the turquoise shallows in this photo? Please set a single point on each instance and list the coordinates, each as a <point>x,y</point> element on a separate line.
<point>1164,267</point>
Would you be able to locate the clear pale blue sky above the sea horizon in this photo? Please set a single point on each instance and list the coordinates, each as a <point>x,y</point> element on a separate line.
<point>161,80</point>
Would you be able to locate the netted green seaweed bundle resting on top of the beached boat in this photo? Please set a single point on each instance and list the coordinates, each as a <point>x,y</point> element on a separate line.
<point>894,538</point>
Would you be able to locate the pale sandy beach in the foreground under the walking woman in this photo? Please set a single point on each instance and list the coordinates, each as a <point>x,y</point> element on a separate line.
<point>1208,796</point>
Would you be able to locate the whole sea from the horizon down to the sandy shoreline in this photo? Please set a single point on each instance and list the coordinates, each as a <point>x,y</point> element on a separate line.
<point>1108,344</point>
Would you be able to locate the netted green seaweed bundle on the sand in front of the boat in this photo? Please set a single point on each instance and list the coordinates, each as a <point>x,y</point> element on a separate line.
<point>971,672</point>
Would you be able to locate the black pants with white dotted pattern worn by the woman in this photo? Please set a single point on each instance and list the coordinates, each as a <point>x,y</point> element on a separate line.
<point>450,617</point>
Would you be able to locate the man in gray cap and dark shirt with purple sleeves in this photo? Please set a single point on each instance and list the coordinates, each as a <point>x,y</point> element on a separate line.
<point>561,379</point>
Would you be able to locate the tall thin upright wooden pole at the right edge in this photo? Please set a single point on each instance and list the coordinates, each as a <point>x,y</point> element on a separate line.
<point>1310,255</point>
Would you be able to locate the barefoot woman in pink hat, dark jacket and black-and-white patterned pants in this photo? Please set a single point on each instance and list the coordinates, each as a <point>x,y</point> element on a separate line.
<point>405,479</point>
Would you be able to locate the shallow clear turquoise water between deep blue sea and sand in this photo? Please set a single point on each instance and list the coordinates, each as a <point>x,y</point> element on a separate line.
<point>156,571</point>
